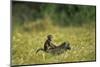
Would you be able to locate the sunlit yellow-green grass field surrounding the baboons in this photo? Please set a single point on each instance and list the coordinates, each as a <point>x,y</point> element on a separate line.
<point>27,39</point>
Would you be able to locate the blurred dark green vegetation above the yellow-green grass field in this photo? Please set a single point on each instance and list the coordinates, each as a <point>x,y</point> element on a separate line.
<point>62,15</point>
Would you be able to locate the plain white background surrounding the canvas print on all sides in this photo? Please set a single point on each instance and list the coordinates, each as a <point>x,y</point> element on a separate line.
<point>5,33</point>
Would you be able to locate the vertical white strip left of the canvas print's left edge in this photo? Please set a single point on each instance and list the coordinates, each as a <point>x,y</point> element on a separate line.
<point>4,33</point>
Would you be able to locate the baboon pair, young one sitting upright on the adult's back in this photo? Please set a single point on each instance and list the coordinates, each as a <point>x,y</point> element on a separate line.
<point>49,47</point>
